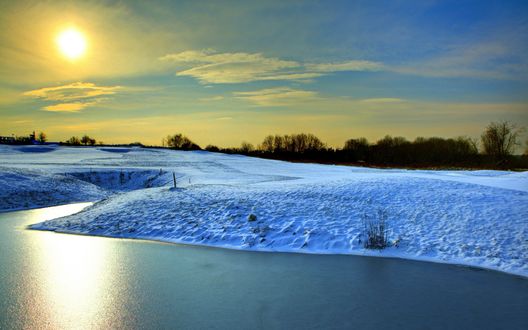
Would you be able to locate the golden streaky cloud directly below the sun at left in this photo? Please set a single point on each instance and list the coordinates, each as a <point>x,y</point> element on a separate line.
<point>73,97</point>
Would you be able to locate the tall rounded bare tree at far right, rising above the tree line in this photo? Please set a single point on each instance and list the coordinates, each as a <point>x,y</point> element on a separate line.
<point>499,139</point>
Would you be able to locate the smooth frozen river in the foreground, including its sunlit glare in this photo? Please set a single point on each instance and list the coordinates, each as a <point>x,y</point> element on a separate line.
<point>50,280</point>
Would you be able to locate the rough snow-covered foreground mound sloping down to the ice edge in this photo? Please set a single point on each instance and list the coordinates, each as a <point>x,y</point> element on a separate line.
<point>427,219</point>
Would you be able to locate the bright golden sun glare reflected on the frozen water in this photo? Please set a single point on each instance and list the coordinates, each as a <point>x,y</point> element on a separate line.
<point>77,276</point>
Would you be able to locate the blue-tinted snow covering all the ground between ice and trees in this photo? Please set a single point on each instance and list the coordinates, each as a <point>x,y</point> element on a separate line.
<point>477,218</point>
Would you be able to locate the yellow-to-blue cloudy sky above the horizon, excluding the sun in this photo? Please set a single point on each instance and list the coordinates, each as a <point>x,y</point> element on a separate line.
<point>223,72</point>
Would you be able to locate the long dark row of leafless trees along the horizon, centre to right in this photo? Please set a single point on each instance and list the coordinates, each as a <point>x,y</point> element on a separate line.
<point>497,144</point>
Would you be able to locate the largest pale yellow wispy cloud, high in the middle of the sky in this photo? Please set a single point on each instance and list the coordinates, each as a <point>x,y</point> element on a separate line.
<point>210,67</point>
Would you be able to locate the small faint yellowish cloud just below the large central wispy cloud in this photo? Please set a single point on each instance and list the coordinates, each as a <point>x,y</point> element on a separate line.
<point>279,96</point>
